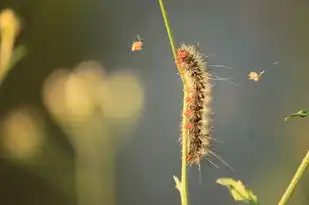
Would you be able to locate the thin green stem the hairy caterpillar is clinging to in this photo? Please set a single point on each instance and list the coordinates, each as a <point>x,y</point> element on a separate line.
<point>184,185</point>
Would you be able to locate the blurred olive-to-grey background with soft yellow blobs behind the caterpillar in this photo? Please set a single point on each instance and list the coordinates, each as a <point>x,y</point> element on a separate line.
<point>84,120</point>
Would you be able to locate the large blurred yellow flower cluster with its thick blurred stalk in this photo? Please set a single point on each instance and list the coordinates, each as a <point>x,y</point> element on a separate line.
<point>91,108</point>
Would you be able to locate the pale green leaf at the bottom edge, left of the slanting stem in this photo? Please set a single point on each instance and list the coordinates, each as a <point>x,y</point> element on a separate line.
<point>239,191</point>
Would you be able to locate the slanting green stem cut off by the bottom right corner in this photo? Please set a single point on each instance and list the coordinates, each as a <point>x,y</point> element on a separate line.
<point>289,191</point>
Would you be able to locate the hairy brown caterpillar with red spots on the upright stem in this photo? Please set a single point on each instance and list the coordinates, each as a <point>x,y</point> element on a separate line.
<point>196,119</point>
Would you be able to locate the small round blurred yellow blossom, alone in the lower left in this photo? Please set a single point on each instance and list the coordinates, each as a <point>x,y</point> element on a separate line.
<point>22,135</point>
